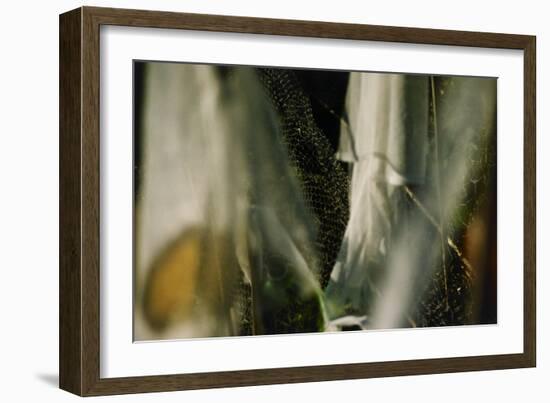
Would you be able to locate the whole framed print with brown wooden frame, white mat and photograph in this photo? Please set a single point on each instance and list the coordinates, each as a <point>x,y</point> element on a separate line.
<point>249,201</point>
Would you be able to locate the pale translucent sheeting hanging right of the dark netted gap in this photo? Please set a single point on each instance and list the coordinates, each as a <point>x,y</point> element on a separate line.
<point>397,126</point>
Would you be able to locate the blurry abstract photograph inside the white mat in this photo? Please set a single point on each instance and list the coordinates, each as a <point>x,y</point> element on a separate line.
<point>274,200</point>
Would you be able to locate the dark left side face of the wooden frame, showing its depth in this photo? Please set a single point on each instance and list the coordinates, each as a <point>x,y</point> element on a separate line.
<point>70,271</point>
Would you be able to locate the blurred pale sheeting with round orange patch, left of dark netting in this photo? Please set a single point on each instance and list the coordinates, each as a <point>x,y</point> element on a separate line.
<point>218,206</point>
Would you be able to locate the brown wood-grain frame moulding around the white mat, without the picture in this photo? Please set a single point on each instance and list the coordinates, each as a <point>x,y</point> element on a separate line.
<point>79,201</point>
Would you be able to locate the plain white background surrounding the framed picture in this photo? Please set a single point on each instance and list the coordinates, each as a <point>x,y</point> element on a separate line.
<point>29,198</point>
